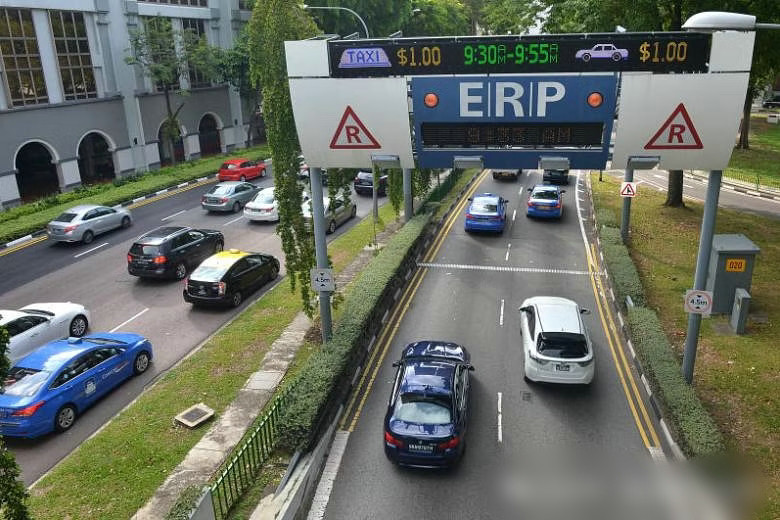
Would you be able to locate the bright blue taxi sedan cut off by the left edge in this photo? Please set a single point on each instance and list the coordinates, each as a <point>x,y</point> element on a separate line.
<point>47,389</point>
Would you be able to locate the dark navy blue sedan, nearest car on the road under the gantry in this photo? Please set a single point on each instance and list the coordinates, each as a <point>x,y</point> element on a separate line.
<point>425,423</point>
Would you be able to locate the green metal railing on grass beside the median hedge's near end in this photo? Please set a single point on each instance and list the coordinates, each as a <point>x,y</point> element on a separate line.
<point>249,458</point>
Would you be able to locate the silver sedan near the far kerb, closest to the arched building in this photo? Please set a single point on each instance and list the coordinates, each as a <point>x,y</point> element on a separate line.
<point>83,223</point>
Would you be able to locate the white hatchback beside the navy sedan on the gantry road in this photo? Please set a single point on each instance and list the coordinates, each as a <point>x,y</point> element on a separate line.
<point>556,345</point>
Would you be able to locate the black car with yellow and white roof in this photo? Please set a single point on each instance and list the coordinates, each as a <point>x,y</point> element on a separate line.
<point>226,278</point>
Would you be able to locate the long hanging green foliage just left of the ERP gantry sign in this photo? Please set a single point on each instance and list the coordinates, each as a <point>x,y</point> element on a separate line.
<point>273,22</point>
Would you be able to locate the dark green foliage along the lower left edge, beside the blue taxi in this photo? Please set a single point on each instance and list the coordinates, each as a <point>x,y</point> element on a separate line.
<point>13,494</point>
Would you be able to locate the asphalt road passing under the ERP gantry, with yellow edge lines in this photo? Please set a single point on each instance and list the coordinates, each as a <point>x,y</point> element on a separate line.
<point>548,441</point>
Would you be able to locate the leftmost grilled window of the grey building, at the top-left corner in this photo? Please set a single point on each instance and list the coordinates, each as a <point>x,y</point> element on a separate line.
<point>21,59</point>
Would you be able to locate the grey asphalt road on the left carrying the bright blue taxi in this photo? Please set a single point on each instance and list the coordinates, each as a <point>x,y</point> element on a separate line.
<point>95,275</point>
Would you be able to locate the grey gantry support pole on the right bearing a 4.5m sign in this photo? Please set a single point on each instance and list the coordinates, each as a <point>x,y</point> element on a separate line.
<point>702,263</point>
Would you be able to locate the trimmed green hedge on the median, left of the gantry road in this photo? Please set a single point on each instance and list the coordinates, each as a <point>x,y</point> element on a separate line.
<point>324,372</point>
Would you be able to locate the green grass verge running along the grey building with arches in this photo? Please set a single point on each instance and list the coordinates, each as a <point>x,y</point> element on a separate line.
<point>28,218</point>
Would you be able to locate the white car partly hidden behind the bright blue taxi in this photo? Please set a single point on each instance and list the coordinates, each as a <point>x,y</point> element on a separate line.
<point>38,323</point>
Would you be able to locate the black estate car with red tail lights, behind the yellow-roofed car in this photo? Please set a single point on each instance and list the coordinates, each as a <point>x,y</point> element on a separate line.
<point>172,252</point>
